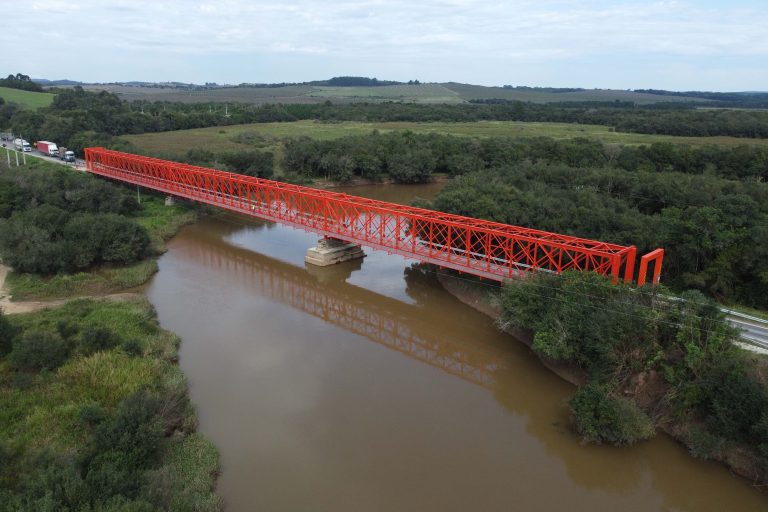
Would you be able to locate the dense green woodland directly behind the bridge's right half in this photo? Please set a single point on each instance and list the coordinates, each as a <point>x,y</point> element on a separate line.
<point>714,230</point>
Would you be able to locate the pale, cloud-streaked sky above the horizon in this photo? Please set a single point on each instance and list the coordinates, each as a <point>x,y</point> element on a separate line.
<point>678,45</point>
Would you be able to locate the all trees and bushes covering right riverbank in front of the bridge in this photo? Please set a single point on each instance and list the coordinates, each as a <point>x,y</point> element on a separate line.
<point>646,360</point>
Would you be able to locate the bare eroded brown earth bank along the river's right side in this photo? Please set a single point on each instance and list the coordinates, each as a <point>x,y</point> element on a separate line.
<point>645,387</point>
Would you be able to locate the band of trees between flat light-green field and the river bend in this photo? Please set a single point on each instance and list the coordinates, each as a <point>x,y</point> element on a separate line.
<point>410,157</point>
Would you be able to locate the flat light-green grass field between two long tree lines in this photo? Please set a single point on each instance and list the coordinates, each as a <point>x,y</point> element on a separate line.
<point>268,135</point>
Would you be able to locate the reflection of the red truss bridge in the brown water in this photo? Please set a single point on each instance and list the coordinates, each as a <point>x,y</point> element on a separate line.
<point>386,321</point>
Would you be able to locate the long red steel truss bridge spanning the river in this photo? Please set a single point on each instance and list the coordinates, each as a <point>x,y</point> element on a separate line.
<point>487,249</point>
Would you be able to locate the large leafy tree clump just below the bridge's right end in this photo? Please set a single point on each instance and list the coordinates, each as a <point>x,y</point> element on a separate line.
<point>582,319</point>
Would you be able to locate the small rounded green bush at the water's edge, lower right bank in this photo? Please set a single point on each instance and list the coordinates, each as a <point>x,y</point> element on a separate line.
<point>601,418</point>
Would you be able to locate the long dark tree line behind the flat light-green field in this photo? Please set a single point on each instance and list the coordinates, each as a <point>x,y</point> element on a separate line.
<point>79,118</point>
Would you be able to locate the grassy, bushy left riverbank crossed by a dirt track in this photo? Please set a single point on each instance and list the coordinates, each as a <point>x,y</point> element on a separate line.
<point>94,409</point>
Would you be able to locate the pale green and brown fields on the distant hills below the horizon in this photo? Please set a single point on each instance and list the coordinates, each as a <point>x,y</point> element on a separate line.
<point>415,93</point>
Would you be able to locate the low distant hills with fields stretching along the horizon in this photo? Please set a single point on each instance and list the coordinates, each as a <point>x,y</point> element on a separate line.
<point>350,89</point>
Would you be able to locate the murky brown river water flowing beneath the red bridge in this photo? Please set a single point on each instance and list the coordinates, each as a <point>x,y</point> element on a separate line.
<point>367,387</point>
